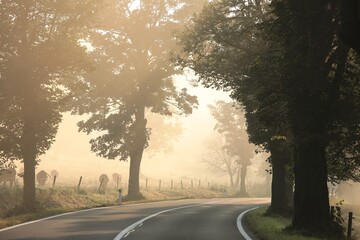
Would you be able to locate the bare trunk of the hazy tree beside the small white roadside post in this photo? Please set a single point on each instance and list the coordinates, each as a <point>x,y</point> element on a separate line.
<point>136,154</point>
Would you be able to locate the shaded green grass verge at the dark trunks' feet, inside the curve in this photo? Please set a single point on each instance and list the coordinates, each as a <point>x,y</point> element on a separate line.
<point>272,227</point>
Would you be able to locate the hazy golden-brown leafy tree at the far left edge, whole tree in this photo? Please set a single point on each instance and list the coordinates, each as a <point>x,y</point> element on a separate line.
<point>34,87</point>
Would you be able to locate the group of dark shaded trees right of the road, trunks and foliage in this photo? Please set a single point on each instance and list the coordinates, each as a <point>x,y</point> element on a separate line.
<point>298,82</point>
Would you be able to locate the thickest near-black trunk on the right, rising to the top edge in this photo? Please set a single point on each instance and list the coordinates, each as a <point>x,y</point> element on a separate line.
<point>307,50</point>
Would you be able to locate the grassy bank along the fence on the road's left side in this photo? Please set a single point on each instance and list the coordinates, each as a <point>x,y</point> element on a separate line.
<point>67,199</point>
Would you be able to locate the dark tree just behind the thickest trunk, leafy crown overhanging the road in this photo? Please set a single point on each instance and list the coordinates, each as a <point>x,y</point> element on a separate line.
<point>227,50</point>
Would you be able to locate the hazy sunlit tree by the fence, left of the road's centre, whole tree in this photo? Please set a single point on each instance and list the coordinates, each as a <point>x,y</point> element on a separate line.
<point>133,73</point>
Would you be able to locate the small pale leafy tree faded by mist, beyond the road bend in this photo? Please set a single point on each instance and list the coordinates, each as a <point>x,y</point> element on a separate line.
<point>231,124</point>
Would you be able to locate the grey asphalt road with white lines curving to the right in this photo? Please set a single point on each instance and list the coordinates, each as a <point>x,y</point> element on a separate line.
<point>190,219</point>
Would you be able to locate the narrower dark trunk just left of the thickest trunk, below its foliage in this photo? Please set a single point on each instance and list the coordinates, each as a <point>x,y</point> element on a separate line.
<point>281,186</point>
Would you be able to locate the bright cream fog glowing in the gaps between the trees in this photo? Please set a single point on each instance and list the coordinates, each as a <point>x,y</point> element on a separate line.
<point>71,156</point>
